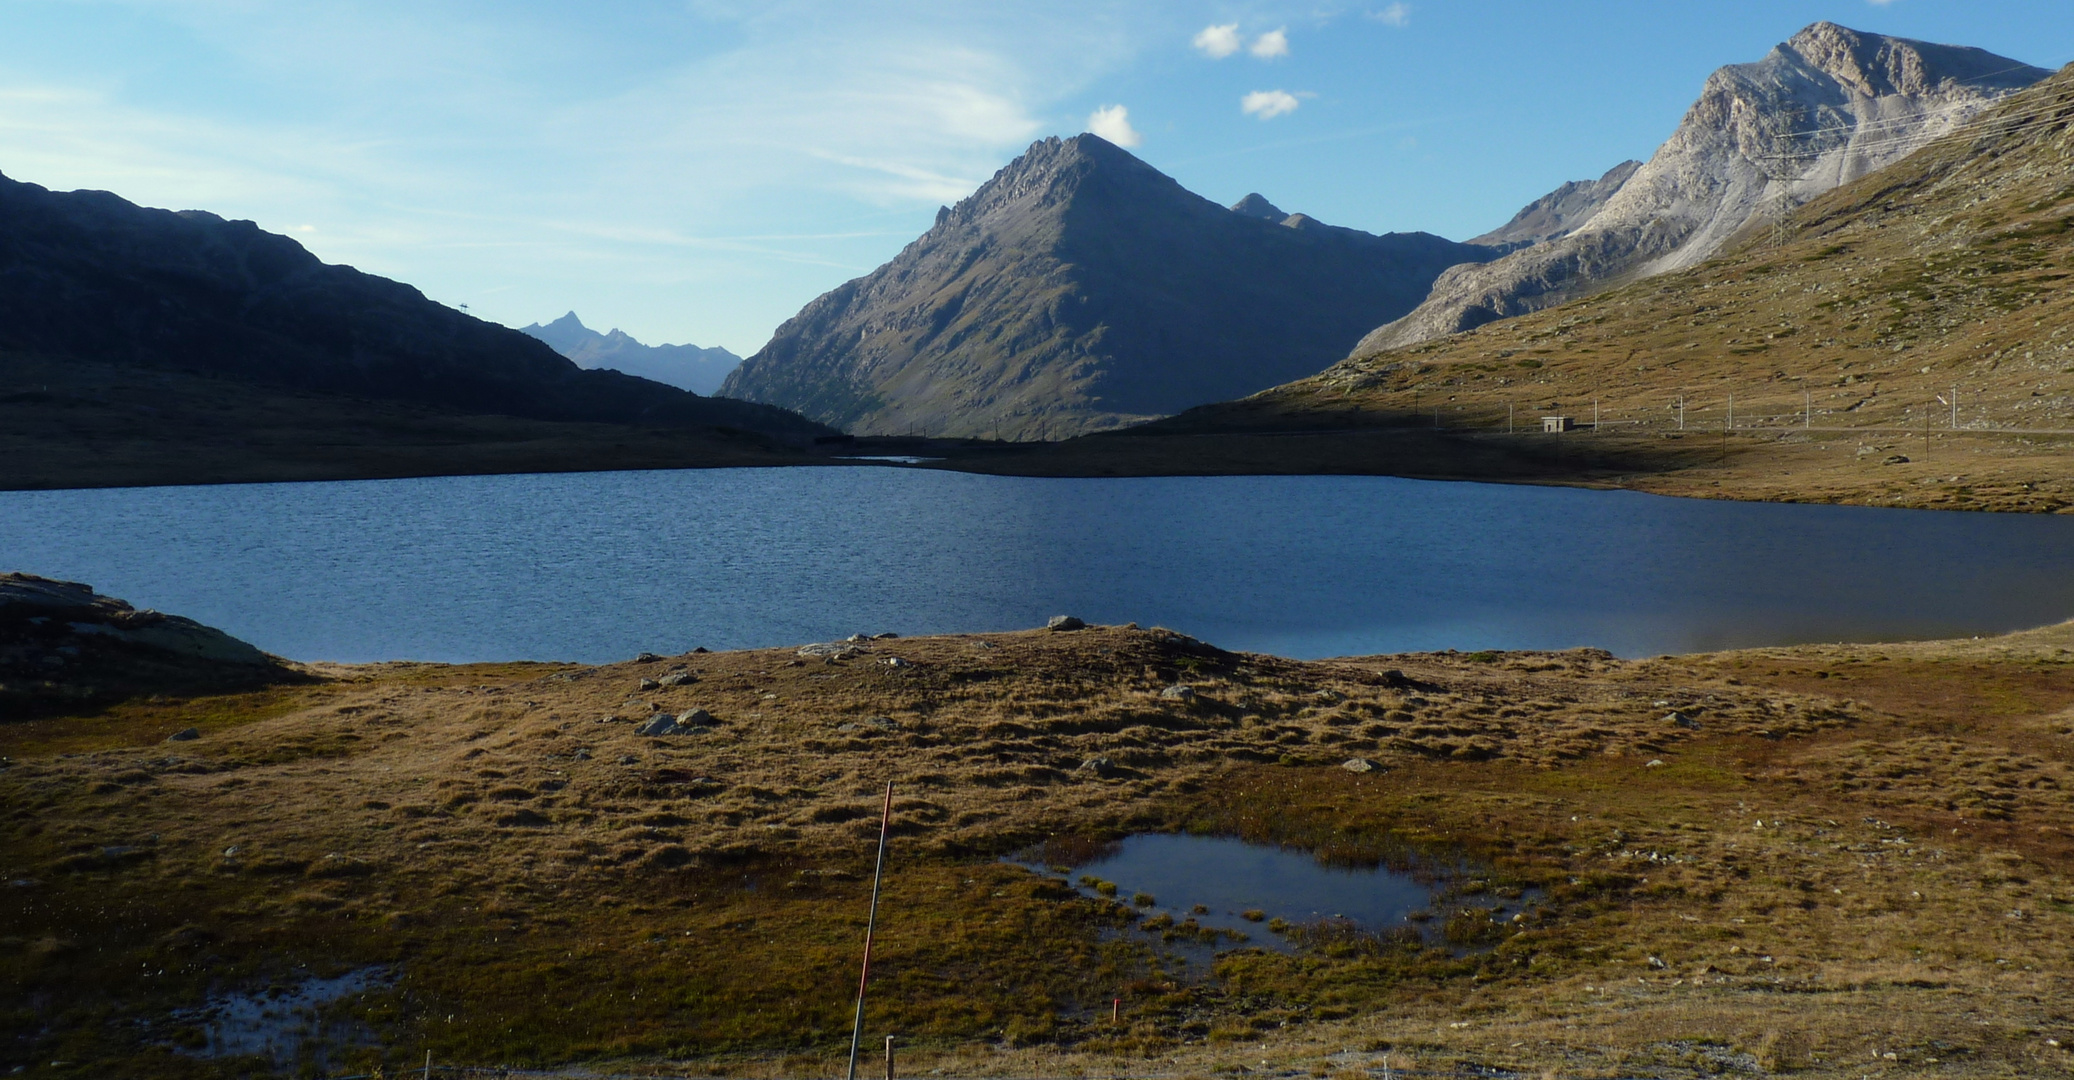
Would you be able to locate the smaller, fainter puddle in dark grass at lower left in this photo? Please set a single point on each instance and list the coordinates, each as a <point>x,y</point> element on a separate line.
<point>287,1023</point>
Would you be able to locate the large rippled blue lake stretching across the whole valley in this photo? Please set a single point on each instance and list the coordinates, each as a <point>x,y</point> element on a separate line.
<point>600,567</point>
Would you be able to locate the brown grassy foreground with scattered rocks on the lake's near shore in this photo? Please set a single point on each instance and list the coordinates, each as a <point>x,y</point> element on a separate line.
<point>1859,851</point>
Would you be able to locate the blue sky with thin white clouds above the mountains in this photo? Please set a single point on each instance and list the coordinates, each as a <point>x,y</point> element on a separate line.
<point>696,171</point>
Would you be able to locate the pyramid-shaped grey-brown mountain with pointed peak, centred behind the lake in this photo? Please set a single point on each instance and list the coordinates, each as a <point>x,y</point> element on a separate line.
<point>1082,289</point>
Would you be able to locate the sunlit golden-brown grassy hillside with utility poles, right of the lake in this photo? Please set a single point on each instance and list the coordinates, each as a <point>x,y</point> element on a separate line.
<point>1818,364</point>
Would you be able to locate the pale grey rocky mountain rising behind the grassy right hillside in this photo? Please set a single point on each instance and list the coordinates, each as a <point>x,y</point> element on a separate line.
<point>1824,109</point>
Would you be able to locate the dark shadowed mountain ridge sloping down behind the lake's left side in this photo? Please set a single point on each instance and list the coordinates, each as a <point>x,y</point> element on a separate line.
<point>92,277</point>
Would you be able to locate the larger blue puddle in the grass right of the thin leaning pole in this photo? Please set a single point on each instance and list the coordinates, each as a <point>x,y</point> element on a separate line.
<point>1206,894</point>
